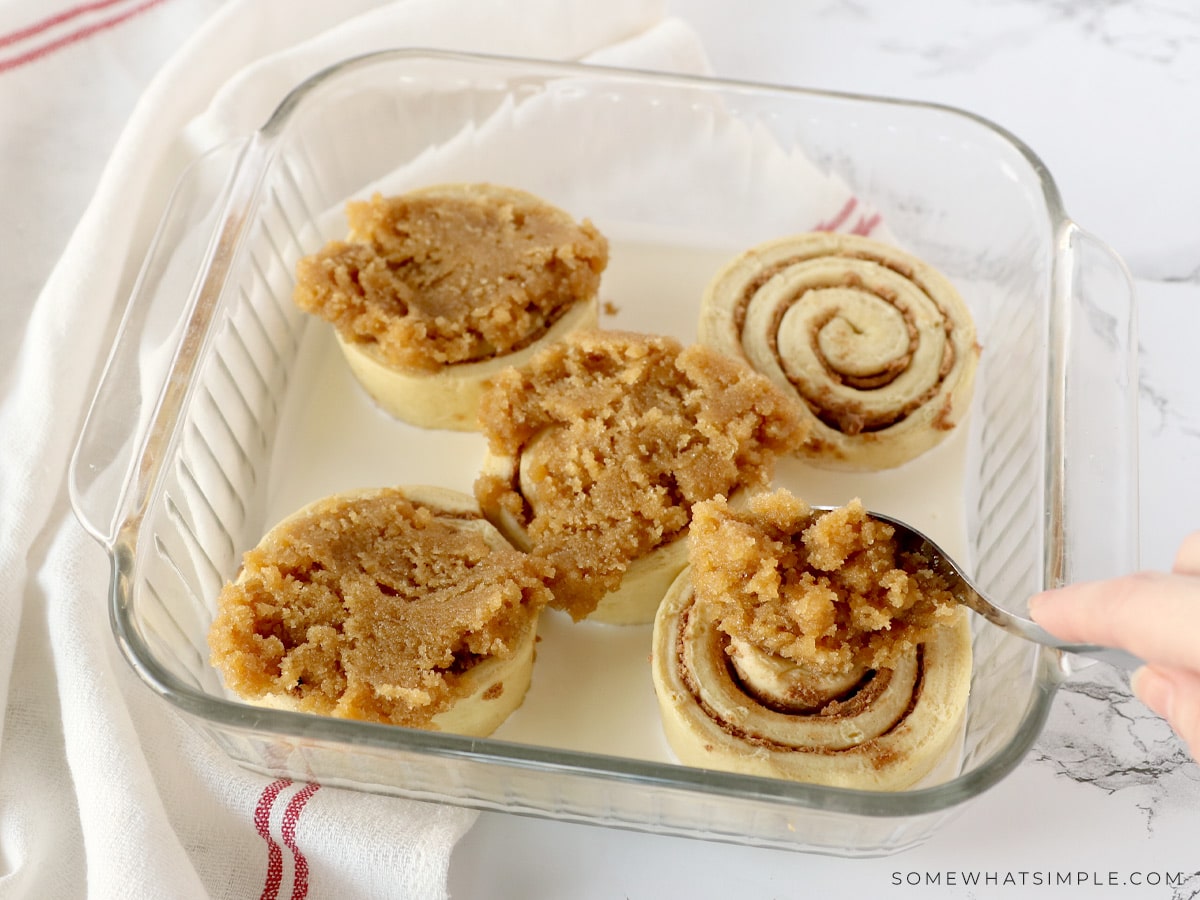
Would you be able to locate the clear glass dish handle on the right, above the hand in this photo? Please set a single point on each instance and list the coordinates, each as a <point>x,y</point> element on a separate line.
<point>1099,496</point>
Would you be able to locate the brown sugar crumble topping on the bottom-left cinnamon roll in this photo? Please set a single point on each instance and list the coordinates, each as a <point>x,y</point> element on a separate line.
<point>371,609</point>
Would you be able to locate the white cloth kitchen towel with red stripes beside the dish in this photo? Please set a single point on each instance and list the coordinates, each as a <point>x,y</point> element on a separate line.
<point>105,791</point>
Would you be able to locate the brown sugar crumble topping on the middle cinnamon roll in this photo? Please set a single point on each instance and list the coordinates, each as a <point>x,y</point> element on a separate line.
<point>625,434</point>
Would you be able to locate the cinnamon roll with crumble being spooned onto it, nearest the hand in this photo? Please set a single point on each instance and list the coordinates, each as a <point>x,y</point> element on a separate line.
<point>807,647</point>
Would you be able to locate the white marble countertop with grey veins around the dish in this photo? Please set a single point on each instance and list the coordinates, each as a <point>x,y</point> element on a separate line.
<point>1108,94</point>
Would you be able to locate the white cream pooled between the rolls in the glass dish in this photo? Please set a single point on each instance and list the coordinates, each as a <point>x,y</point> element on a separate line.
<point>592,688</point>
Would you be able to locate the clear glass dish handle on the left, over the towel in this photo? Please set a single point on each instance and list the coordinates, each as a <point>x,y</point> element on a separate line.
<point>142,371</point>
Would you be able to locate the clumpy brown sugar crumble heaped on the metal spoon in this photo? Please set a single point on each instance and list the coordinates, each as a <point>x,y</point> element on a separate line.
<point>829,591</point>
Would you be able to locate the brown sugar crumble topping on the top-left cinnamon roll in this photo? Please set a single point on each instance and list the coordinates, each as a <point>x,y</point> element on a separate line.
<point>452,275</point>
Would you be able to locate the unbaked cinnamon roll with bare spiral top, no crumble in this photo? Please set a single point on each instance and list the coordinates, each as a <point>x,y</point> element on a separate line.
<point>878,346</point>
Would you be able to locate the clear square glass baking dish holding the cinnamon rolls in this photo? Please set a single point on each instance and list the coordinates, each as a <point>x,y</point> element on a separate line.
<point>223,407</point>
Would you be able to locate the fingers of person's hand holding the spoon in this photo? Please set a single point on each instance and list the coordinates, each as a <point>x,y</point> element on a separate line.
<point>1153,615</point>
